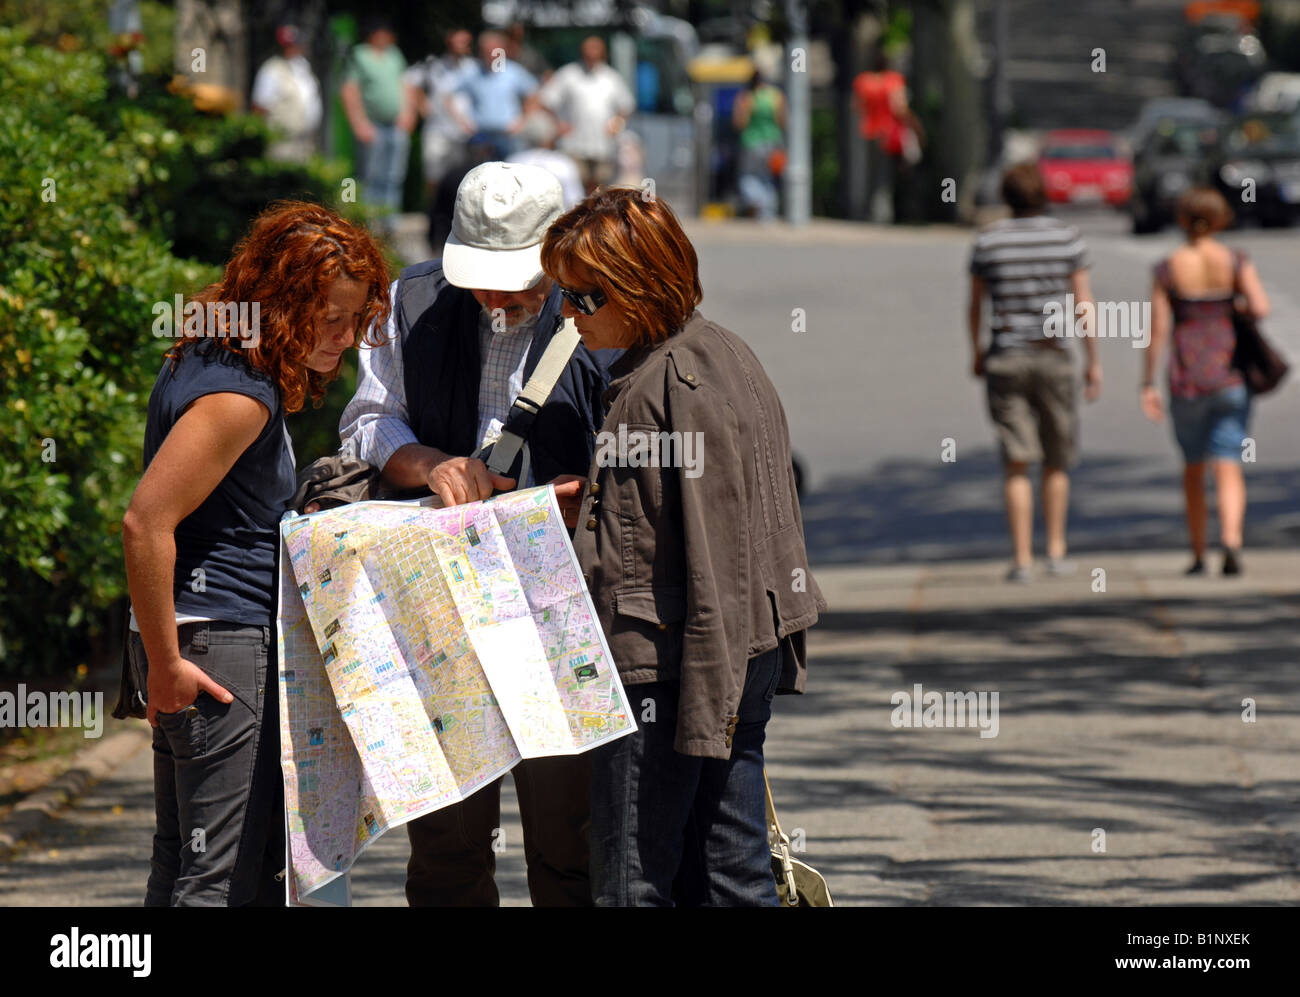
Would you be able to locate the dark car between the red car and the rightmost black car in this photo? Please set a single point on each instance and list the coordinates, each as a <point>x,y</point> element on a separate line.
<point>1172,159</point>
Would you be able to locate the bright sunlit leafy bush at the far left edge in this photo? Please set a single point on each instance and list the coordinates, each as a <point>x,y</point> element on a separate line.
<point>77,279</point>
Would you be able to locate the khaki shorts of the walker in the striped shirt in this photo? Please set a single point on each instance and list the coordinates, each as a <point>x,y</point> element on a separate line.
<point>1033,398</point>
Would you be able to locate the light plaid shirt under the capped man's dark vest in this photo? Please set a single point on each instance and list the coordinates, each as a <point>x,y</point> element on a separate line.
<point>376,423</point>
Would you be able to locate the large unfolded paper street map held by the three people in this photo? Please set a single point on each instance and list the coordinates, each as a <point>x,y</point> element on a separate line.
<point>423,653</point>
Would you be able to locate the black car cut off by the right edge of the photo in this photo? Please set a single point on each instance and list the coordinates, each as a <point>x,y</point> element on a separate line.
<point>1256,167</point>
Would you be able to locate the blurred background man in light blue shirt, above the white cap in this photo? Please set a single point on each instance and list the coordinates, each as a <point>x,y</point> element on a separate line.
<point>501,93</point>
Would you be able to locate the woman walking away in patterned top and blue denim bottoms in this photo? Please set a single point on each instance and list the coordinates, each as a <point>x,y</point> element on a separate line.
<point>1193,298</point>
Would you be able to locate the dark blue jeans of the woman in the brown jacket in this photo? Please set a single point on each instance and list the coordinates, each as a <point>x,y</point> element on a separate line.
<point>670,829</point>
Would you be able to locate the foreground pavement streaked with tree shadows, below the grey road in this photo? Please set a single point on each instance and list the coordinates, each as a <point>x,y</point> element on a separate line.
<point>1119,710</point>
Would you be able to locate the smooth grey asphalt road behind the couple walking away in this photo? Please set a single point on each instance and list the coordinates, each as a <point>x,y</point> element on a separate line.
<point>879,379</point>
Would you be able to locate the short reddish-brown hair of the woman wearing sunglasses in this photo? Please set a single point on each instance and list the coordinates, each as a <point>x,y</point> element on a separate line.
<point>643,261</point>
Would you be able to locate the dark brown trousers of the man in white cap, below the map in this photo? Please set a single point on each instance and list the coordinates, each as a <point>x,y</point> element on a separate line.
<point>453,861</point>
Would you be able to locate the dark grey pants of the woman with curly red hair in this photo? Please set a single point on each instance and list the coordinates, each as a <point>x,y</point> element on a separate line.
<point>219,799</point>
